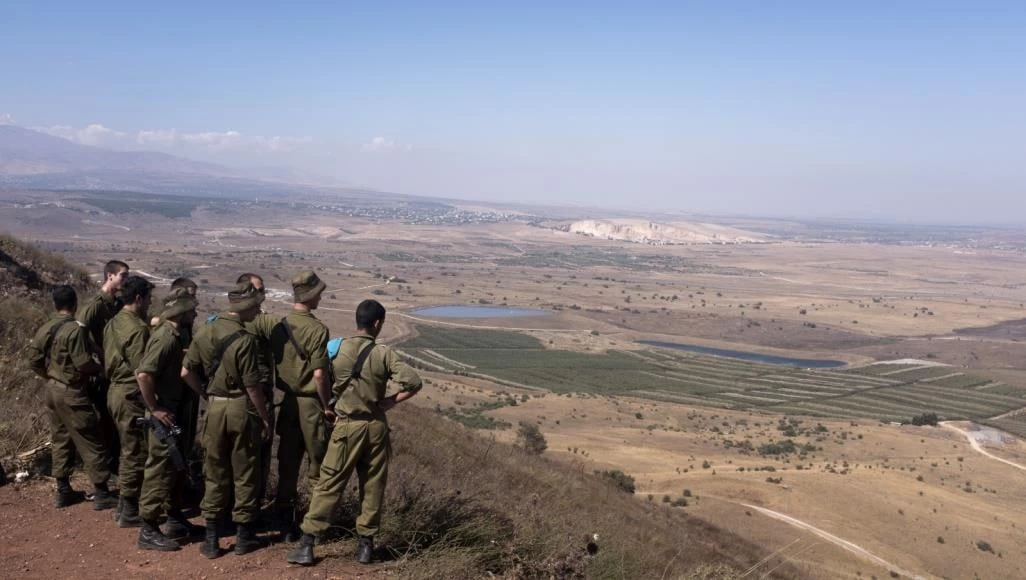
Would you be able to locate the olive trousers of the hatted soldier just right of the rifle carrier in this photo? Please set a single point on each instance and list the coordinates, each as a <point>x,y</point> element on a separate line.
<point>232,442</point>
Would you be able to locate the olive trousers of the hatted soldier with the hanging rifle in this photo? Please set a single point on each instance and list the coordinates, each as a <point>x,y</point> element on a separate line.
<point>163,485</point>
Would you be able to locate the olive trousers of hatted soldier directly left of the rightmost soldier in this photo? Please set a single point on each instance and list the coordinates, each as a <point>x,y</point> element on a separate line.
<point>301,429</point>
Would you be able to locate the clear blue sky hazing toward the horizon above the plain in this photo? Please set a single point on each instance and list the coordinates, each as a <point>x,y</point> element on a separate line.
<point>901,110</point>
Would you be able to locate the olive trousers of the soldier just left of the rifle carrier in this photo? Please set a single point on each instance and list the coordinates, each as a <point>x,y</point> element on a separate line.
<point>125,410</point>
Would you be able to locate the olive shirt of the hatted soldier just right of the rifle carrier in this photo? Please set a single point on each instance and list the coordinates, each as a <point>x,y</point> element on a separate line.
<point>241,364</point>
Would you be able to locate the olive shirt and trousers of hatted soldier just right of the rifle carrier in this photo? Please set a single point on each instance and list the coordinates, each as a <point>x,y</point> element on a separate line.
<point>232,433</point>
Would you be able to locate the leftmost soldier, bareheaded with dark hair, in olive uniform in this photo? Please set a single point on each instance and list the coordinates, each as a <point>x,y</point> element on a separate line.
<point>61,354</point>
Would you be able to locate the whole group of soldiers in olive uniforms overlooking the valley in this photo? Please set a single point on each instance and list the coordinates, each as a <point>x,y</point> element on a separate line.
<point>125,391</point>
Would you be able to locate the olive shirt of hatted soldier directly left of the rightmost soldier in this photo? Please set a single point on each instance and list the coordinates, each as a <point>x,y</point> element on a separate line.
<point>296,374</point>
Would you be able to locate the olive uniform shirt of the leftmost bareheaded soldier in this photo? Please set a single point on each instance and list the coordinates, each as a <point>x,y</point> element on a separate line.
<point>70,351</point>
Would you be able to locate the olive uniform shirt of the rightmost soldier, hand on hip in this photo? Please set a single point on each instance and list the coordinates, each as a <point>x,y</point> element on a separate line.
<point>383,365</point>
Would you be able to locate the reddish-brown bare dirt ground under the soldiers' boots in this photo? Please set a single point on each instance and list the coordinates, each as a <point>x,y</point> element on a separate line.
<point>40,542</point>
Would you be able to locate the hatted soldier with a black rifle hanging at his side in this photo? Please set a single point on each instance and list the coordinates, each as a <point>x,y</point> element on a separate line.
<point>160,377</point>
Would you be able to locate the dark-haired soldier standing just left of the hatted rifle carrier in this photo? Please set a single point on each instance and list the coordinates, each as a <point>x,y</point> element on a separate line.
<point>125,343</point>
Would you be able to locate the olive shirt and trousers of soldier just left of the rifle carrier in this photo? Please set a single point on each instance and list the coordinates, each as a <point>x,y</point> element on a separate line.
<point>125,344</point>
